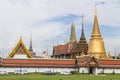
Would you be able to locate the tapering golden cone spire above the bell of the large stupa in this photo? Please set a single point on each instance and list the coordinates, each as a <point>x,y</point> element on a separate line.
<point>96,30</point>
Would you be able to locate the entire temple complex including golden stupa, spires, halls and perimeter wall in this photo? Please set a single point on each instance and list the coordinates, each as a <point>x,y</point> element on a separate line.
<point>73,56</point>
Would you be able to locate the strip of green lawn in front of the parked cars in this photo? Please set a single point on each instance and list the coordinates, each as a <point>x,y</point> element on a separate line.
<point>58,77</point>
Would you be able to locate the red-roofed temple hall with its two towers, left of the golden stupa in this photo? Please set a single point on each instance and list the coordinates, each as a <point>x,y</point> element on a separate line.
<point>72,48</point>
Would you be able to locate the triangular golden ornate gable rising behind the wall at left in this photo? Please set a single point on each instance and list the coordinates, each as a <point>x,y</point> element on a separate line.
<point>21,50</point>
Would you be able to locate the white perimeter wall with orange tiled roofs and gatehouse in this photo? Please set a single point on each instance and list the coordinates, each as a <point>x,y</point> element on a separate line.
<point>82,64</point>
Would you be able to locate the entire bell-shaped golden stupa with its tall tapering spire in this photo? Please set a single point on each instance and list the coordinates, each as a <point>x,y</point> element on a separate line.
<point>96,43</point>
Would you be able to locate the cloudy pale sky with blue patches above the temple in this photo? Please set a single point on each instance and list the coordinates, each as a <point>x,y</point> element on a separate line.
<point>49,22</point>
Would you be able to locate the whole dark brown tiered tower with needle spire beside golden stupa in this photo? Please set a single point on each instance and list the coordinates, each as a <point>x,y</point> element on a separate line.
<point>83,46</point>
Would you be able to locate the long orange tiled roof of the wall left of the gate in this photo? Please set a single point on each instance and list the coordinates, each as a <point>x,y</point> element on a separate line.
<point>38,62</point>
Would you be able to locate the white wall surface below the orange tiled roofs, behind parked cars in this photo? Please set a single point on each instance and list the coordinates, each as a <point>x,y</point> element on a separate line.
<point>38,69</point>
